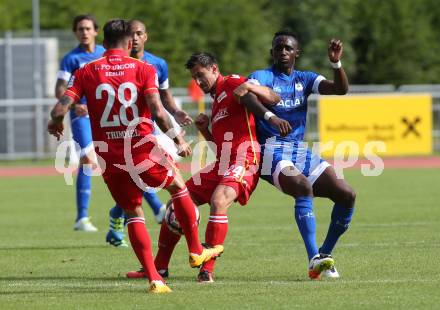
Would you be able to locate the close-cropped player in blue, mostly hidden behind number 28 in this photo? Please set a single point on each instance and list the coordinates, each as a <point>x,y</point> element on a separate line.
<point>115,236</point>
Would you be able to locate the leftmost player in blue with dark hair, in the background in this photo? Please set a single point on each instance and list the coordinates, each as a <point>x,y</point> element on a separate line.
<point>85,29</point>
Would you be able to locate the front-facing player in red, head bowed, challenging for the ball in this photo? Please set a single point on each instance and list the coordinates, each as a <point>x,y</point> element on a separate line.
<point>234,174</point>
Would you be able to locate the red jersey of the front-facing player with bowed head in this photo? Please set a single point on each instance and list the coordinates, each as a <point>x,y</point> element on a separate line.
<point>232,125</point>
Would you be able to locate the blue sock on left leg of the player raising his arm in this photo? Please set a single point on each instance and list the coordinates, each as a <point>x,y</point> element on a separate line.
<point>305,219</point>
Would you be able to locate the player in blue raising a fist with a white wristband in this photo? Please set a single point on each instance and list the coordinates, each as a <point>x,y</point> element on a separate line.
<point>287,163</point>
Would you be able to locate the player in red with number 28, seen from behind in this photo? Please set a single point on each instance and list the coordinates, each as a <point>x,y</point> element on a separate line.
<point>122,97</point>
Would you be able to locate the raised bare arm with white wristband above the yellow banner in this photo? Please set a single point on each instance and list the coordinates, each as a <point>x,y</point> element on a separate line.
<point>339,85</point>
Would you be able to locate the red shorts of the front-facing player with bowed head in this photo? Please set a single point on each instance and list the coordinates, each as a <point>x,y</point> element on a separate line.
<point>242,178</point>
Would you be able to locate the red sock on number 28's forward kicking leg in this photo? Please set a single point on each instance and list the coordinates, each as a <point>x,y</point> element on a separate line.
<point>186,215</point>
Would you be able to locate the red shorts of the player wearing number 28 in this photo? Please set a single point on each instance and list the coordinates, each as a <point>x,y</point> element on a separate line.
<point>127,189</point>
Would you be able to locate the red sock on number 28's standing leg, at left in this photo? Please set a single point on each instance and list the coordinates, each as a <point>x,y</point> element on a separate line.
<point>141,244</point>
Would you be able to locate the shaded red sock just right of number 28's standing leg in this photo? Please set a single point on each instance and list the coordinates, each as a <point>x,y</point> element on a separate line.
<point>166,244</point>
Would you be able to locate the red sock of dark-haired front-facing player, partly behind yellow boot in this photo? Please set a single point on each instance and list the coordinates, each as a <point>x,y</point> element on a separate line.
<point>216,231</point>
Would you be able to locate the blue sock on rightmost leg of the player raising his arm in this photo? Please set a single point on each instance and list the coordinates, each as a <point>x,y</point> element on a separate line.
<point>341,218</point>
